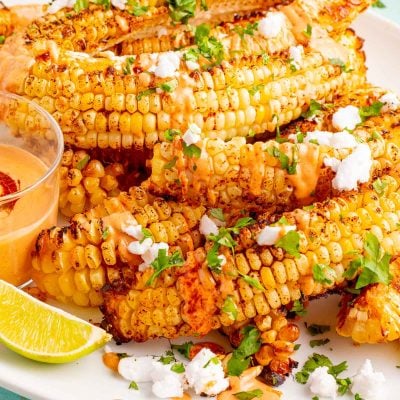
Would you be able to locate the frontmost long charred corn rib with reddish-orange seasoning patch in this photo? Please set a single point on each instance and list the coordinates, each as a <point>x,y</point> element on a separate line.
<point>193,299</point>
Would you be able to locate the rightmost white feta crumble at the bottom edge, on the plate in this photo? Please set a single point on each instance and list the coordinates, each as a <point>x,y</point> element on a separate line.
<point>367,383</point>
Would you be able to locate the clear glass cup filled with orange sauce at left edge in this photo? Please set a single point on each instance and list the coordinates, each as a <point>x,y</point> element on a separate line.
<point>31,146</point>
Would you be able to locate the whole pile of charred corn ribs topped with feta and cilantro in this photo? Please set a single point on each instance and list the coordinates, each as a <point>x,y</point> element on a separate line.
<point>201,174</point>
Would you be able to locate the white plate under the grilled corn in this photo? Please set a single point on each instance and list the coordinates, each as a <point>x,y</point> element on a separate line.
<point>89,379</point>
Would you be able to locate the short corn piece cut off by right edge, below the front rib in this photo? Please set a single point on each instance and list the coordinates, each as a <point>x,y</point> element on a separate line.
<point>373,315</point>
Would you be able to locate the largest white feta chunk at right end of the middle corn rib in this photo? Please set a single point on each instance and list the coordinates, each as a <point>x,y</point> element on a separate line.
<point>354,169</point>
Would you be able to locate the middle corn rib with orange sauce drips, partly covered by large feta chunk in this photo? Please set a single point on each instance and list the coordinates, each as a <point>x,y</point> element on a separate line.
<point>236,174</point>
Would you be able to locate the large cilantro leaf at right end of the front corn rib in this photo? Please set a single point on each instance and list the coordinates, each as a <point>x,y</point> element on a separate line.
<point>374,264</point>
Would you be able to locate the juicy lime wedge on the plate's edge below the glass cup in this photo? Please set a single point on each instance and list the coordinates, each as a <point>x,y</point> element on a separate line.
<point>42,332</point>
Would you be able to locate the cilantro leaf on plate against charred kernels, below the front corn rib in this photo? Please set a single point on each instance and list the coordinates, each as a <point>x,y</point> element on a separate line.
<point>249,345</point>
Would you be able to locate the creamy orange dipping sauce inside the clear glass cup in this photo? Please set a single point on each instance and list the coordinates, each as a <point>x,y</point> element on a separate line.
<point>21,223</point>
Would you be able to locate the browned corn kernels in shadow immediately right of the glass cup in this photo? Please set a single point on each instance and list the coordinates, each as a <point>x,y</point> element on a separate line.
<point>86,182</point>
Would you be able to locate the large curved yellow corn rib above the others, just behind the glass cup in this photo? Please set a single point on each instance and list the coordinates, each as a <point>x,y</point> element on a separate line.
<point>98,105</point>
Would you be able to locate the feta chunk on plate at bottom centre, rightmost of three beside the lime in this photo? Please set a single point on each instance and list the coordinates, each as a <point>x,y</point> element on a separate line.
<point>205,375</point>
